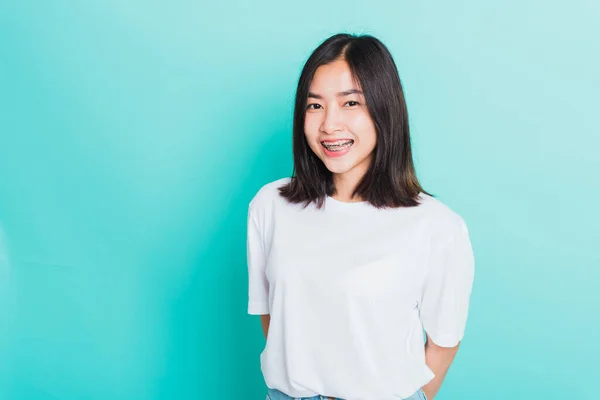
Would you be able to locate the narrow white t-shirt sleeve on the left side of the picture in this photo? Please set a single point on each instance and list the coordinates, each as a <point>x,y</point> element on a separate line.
<point>258,286</point>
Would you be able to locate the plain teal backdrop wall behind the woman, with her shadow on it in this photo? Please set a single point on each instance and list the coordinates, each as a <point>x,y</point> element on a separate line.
<point>133,135</point>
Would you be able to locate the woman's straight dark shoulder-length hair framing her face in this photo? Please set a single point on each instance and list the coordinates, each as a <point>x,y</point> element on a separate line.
<point>391,180</point>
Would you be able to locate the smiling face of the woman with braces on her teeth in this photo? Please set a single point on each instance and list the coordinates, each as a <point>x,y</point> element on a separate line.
<point>338,127</point>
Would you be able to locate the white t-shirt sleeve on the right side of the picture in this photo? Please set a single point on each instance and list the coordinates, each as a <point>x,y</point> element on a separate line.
<point>447,289</point>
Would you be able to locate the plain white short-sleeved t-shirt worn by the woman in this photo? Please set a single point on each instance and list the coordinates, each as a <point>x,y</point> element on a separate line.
<point>350,288</point>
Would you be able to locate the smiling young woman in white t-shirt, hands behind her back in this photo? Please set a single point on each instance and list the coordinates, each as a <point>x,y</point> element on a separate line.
<point>350,259</point>
